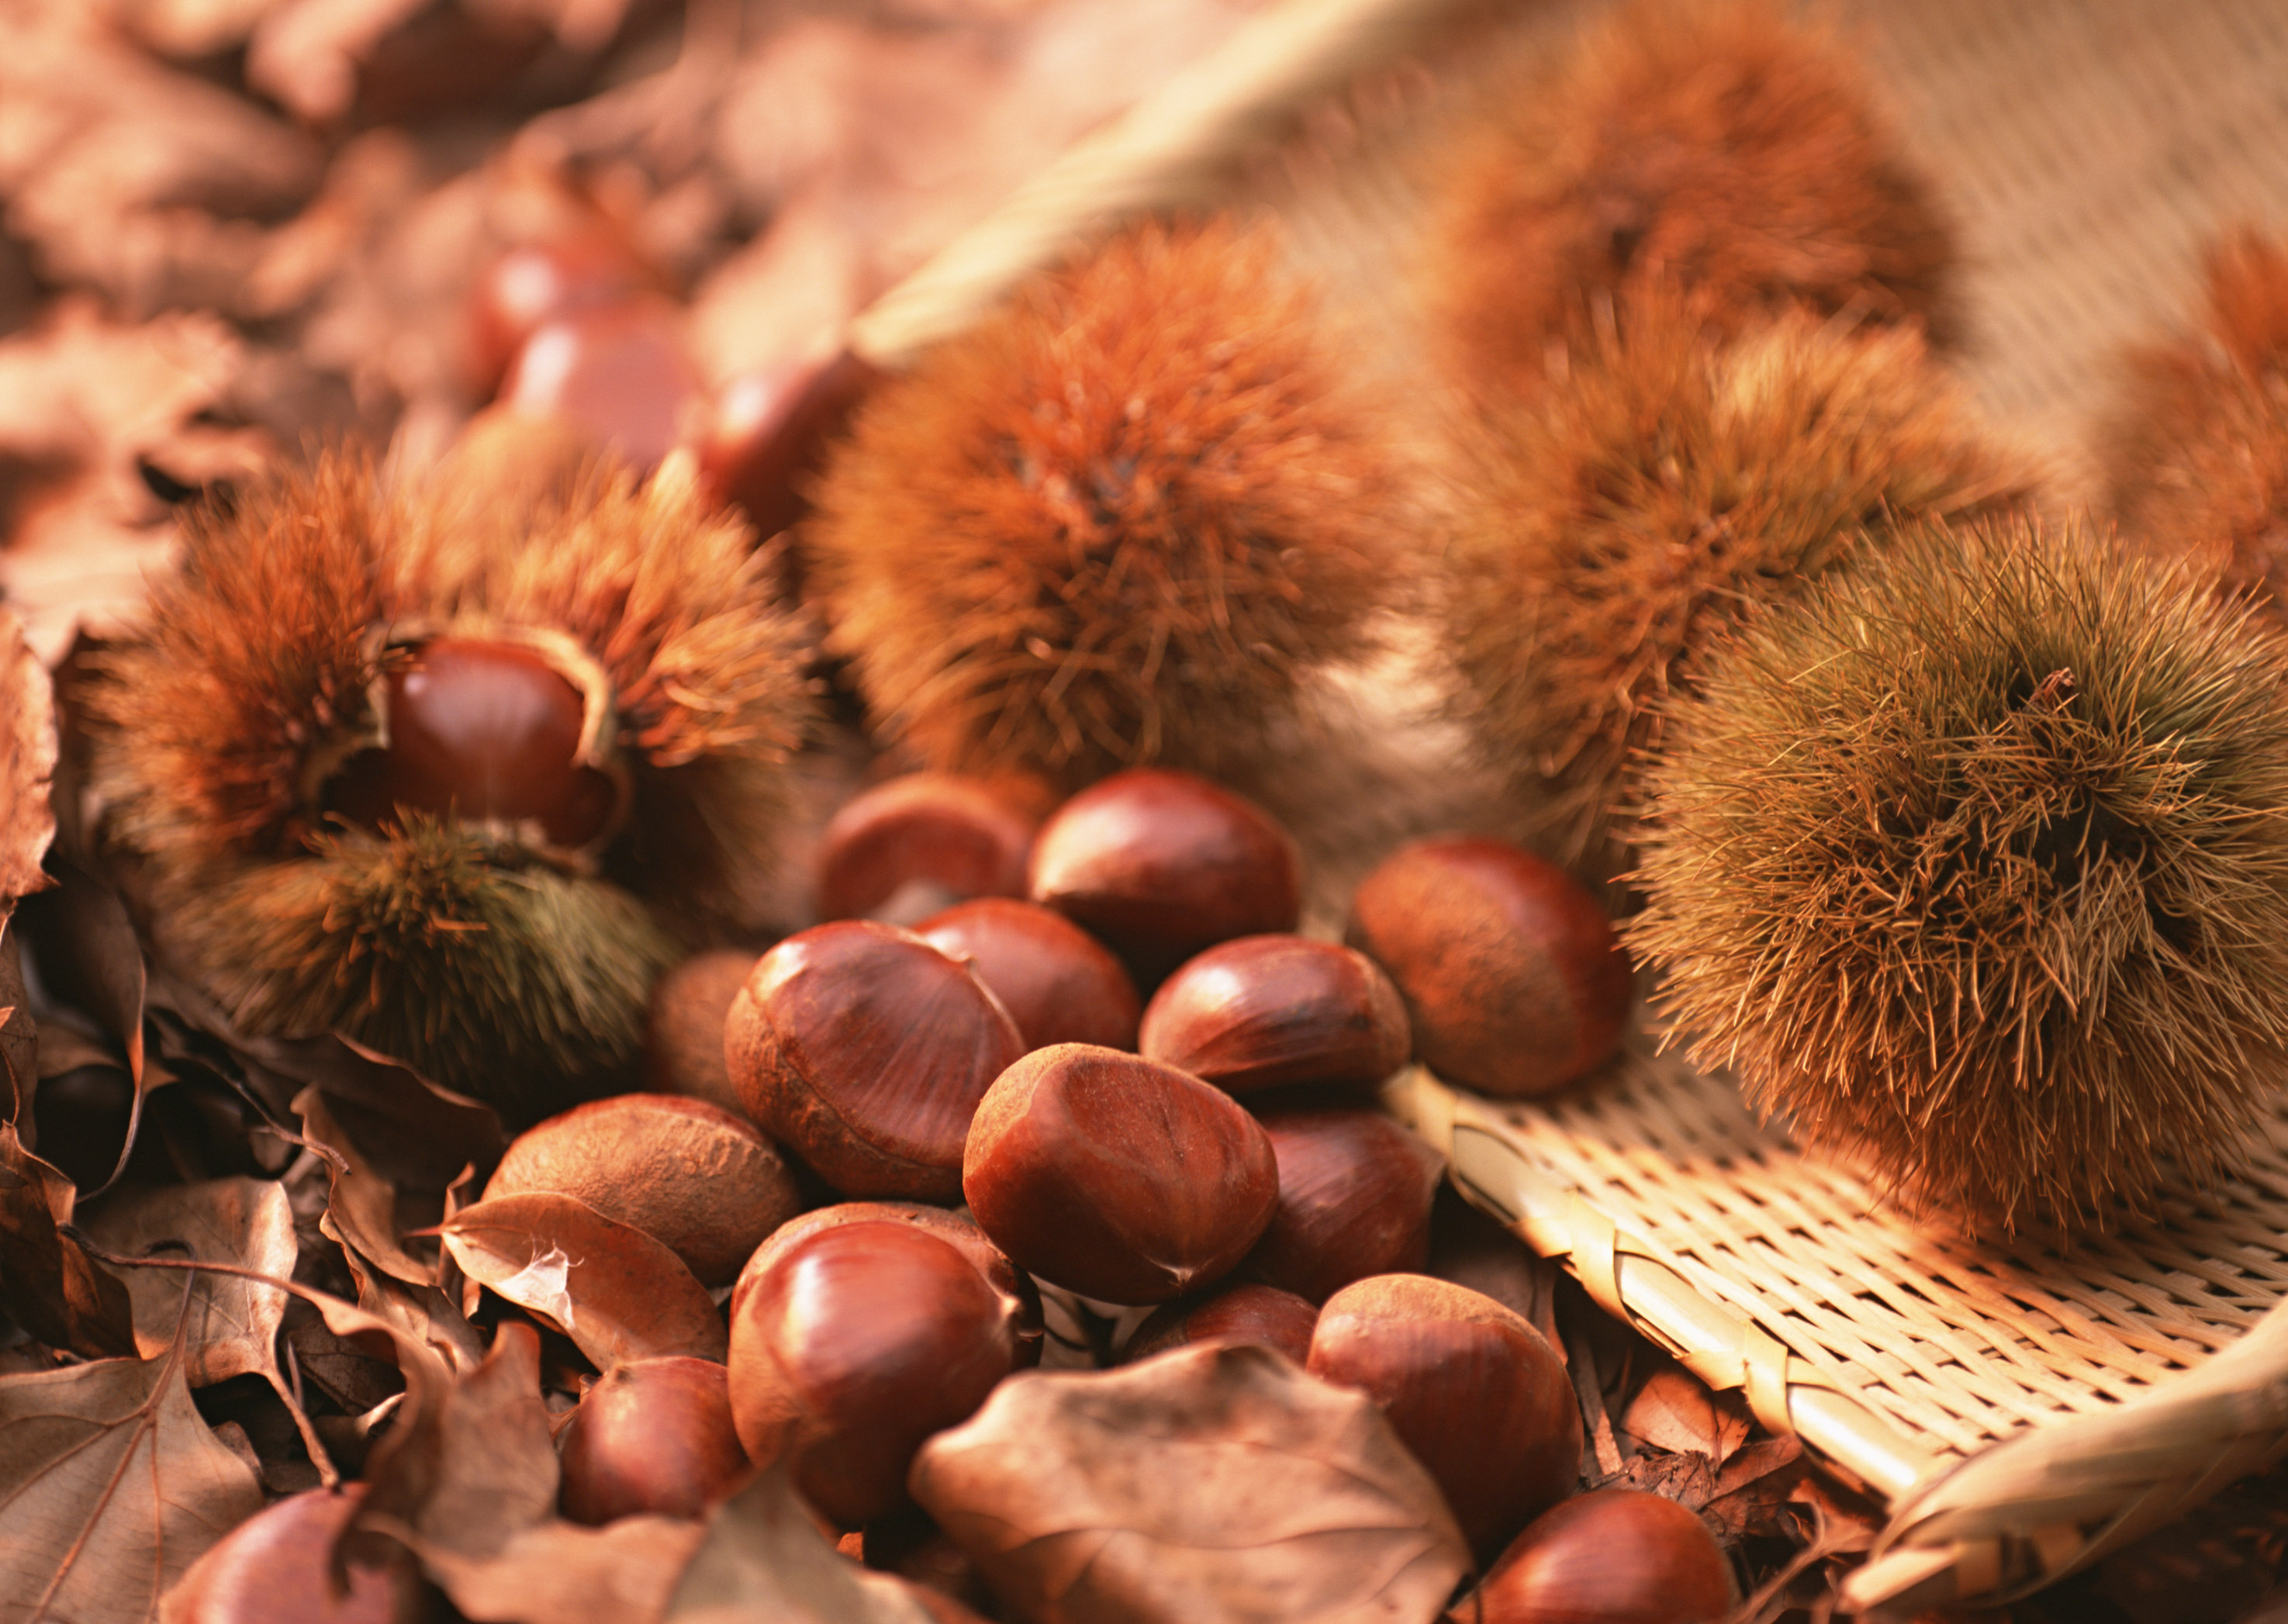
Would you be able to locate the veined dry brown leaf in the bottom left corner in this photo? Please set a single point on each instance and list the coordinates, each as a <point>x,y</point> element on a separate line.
<point>111,1488</point>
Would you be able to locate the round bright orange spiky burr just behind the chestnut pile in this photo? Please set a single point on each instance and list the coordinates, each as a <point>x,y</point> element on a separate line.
<point>1120,523</point>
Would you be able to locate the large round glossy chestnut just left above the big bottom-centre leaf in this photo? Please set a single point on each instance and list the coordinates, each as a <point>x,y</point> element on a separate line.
<point>852,1348</point>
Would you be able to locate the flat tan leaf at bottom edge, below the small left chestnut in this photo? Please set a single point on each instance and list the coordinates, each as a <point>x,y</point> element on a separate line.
<point>614,1575</point>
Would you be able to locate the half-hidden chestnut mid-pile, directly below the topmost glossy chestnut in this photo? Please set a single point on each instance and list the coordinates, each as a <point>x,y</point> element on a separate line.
<point>1056,980</point>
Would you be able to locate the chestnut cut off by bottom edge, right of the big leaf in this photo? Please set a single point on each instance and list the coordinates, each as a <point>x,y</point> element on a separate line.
<point>1616,1557</point>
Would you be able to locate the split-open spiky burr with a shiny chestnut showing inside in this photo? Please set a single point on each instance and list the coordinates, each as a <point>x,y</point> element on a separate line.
<point>317,868</point>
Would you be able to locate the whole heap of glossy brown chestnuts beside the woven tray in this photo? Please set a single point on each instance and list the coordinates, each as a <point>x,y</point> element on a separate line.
<point>1097,1065</point>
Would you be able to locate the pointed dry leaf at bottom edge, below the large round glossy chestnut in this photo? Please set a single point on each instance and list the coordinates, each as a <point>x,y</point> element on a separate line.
<point>765,1561</point>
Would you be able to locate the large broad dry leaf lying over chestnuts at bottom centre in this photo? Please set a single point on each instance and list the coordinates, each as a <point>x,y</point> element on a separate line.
<point>1211,1483</point>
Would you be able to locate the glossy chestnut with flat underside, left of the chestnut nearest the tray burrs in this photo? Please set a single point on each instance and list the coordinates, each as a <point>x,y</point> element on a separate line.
<point>1262,1012</point>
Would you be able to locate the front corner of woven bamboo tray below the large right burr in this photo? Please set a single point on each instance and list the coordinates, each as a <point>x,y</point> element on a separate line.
<point>2021,1408</point>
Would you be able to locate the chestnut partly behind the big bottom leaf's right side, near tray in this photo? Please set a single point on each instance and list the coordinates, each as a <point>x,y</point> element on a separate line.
<point>1470,1387</point>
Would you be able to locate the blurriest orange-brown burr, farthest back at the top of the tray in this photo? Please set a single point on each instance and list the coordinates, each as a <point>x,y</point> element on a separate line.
<point>1706,143</point>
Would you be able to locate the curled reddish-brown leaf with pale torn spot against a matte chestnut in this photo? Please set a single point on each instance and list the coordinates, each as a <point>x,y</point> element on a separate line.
<point>607,1287</point>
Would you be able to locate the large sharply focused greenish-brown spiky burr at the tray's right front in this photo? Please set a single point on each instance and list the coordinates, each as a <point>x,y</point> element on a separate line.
<point>1976,866</point>
